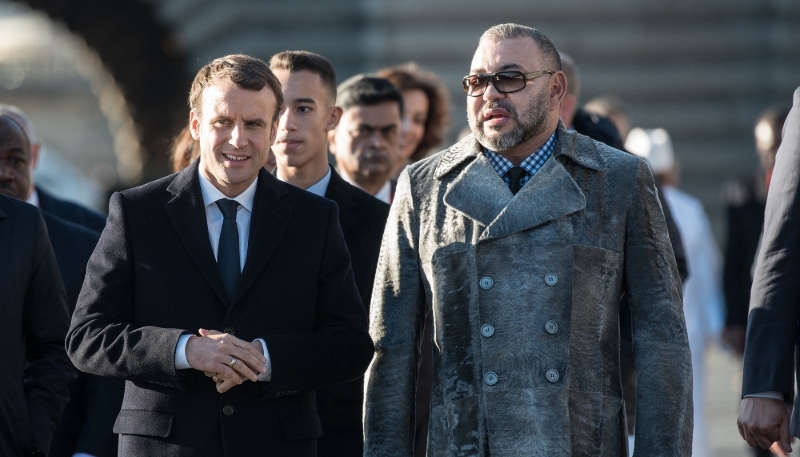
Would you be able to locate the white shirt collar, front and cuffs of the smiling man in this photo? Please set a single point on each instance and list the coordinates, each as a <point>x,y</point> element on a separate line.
<point>214,219</point>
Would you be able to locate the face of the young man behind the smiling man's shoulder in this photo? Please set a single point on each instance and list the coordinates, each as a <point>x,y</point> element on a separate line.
<point>302,137</point>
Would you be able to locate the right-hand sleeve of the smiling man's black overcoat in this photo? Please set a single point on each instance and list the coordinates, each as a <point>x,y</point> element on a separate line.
<point>339,348</point>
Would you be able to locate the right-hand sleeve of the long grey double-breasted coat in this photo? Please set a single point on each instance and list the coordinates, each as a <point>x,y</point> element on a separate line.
<point>664,412</point>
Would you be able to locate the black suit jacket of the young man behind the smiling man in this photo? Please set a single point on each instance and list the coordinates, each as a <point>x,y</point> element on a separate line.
<point>362,218</point>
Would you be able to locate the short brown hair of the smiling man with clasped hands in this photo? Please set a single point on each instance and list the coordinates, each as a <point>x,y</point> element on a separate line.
<point>243,71</point>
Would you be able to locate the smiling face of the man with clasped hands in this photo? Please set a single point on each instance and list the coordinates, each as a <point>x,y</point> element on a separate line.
<point>234,131</point>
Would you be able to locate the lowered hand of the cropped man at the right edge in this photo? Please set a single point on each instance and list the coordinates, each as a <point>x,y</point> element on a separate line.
<point>764,421</point>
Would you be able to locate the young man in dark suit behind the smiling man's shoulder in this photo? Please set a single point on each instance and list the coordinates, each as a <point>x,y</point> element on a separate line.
<point>309,92</point>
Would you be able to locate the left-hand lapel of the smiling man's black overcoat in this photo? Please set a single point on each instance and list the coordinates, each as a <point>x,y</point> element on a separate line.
<point>188,216</point>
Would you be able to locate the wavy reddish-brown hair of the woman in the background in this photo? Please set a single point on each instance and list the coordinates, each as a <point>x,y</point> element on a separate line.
<point>410,77</point>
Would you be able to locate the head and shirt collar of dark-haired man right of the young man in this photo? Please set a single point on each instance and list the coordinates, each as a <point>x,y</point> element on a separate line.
<point>367,139</point>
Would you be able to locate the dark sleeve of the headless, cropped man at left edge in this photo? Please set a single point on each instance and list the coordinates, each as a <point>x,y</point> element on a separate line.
<point>46,319</point>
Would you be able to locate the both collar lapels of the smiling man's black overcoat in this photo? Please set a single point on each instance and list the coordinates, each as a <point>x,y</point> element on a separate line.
<point>267,224</point>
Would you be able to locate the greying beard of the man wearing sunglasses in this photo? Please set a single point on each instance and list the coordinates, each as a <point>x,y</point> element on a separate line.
<point>532,122</point>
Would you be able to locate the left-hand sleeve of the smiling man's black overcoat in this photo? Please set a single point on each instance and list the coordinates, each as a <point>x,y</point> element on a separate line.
<point>102,338</point>
